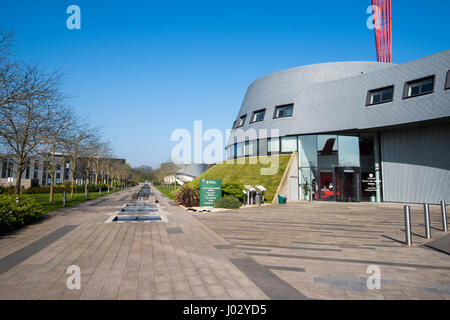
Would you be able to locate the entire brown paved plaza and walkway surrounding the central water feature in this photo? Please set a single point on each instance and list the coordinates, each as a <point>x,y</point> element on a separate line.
<point>296,251</point>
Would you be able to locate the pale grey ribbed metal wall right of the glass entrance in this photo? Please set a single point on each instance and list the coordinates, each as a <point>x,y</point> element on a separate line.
<point>416,164</point>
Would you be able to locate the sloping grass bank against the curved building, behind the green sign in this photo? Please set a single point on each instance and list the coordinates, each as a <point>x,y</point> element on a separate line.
<point>248,173</point>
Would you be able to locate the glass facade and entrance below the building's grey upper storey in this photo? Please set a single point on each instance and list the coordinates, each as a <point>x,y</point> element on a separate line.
<point>333,167</point>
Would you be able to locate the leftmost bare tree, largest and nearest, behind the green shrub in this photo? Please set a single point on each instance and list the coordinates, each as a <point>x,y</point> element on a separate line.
<point>26,91</point>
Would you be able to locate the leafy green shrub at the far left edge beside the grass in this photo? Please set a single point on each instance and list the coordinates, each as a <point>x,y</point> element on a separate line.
<point>15,214</point>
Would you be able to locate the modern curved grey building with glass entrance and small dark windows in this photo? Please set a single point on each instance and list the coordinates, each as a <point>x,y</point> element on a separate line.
<point>364,131</point>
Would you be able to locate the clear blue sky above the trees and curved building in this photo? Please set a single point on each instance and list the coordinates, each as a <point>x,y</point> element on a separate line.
<point>141,69</point>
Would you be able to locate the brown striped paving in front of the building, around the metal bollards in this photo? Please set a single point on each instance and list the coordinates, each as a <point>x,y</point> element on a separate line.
<point>324,249</point>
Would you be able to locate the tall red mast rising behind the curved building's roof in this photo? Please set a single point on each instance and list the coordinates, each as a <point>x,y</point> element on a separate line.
<point>383,30</point>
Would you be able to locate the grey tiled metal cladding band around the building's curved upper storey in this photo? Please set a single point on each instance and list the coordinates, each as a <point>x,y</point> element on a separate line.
<point>332,96</point>
